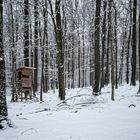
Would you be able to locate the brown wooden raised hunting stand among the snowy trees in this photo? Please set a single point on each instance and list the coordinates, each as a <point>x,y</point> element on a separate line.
<point>24,83</point>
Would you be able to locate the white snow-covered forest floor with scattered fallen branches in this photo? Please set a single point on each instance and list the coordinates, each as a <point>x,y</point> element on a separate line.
<point>83,117</point>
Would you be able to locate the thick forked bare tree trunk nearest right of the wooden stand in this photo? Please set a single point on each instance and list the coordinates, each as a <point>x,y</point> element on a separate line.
<point>60,51</point>
